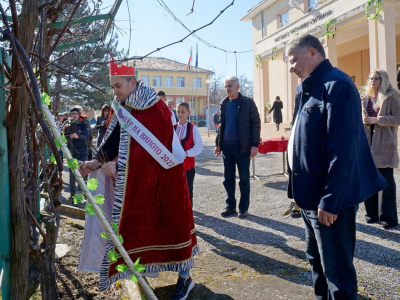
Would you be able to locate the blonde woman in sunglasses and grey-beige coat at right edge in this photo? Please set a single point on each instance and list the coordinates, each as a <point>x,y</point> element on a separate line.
<point>381,116</point>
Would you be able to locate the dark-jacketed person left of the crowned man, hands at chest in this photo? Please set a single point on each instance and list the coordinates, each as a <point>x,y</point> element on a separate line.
<point>77,134</point>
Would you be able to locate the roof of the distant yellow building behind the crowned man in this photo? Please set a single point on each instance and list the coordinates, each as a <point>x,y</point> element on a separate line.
<point>163,64</point>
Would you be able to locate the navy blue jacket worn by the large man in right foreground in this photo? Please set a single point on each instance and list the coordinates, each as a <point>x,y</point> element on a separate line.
<point>332,162</point>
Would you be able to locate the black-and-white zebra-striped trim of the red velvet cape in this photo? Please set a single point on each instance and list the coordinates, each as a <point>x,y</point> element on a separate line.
<point>141,99</point>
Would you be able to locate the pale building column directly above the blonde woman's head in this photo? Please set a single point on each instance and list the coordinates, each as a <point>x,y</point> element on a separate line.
<point>382,41</point>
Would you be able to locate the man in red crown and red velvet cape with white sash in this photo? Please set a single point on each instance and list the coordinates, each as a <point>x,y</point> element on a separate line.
<point>152,204</point>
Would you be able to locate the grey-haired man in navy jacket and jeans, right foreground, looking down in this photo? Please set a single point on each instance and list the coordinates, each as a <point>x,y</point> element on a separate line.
<point>331,169</point>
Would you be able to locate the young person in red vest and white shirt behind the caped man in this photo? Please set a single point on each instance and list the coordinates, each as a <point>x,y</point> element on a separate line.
<point>191,142</point>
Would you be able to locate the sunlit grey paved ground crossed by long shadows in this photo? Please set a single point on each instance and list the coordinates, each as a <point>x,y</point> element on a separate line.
<point>262,257</point>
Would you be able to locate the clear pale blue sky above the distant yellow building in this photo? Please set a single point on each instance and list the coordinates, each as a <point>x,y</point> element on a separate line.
<point>153,27</point>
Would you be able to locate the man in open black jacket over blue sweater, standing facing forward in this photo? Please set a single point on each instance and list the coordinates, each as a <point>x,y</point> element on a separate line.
<point>238,139</point>
